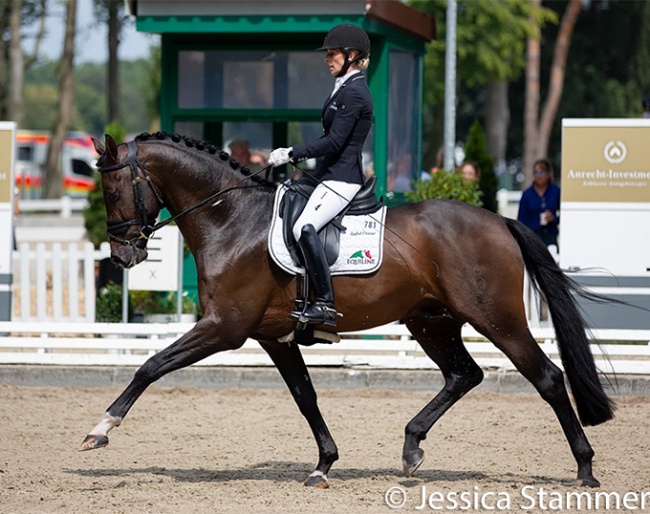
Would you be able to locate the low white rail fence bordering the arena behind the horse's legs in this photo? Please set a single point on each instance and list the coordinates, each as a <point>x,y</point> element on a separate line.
<point>387,347</point>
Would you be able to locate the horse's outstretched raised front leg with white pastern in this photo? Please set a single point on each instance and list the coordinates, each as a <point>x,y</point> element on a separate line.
<point>203,340</point>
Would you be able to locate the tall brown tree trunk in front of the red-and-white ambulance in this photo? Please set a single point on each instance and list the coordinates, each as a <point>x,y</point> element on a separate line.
<point>53,176</point>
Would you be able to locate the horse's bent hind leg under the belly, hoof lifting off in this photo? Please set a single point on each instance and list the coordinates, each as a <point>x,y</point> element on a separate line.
<point>441,340</point>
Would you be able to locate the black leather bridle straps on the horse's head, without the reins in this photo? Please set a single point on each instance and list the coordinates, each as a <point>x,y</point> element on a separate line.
<point>142,219</point>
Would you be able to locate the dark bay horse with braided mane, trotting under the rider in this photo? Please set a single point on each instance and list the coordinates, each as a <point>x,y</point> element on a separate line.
<point>445,264</point>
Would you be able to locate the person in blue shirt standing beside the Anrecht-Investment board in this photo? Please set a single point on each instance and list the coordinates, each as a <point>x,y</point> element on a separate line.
<point>539,207</point>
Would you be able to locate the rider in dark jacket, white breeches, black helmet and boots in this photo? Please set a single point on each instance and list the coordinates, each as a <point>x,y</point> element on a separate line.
<point>347,119</point>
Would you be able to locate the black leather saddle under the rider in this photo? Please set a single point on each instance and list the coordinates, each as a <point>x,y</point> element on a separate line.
<point>294,201</point>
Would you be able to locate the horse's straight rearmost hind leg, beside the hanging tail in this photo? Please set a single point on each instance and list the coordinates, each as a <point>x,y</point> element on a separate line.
<point>548,380</point>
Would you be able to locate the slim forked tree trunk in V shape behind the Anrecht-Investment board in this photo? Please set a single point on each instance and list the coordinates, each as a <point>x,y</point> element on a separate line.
<point>537,130</point>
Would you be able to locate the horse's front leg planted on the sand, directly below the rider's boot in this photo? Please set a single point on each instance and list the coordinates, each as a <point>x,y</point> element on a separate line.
<point>290,364</point>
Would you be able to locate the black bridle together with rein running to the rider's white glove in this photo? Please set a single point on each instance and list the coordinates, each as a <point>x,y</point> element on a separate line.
<point>148,228</point>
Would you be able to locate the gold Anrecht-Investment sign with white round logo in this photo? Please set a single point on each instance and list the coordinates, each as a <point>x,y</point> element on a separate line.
<point>605,160</point>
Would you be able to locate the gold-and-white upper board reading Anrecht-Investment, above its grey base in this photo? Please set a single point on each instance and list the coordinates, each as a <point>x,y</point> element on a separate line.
<point>605,210</point>
